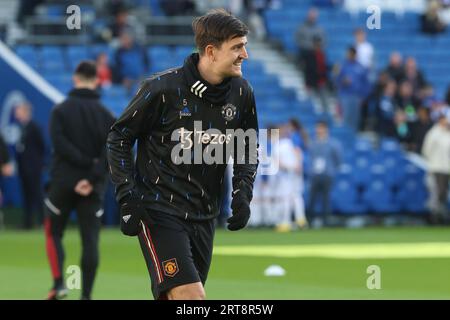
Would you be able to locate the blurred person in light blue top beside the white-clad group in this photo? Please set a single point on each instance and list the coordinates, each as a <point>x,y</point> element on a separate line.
<point>324,155</point>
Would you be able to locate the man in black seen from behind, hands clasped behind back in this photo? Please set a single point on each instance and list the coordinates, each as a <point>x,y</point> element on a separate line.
<point>78,130</point>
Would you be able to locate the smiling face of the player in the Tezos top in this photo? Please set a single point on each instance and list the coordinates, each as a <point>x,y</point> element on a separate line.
<point>229,57</point>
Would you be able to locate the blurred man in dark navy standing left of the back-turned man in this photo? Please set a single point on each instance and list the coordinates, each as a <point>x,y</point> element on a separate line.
<point>30,152</point>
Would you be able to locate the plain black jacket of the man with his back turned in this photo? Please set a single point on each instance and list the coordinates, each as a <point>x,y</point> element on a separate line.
<point>79,128</point>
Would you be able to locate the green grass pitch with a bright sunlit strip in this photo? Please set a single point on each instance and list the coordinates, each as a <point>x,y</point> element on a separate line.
<point>320,264</point>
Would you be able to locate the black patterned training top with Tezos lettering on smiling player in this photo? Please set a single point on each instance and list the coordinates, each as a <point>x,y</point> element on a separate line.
<point>170,102</point>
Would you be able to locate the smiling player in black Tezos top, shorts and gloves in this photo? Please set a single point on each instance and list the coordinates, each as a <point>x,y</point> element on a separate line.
<point>170,197</point>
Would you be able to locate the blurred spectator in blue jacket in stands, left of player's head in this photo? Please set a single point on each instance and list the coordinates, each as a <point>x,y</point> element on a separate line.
<point>130,61</point>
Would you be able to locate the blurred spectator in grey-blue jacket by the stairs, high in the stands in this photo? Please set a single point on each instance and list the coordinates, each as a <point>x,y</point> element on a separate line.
<point>306,34</point>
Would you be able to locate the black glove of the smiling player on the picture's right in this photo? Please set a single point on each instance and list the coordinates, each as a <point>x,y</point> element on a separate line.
<point>240,206</point>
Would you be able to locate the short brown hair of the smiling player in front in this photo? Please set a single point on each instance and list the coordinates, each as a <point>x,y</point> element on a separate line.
<point>216,27</point>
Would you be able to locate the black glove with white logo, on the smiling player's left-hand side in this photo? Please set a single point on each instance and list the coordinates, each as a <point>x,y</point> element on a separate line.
<point>131,214</point>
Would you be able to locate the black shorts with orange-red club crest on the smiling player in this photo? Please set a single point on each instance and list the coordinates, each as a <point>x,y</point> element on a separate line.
<point>176,251</point>
